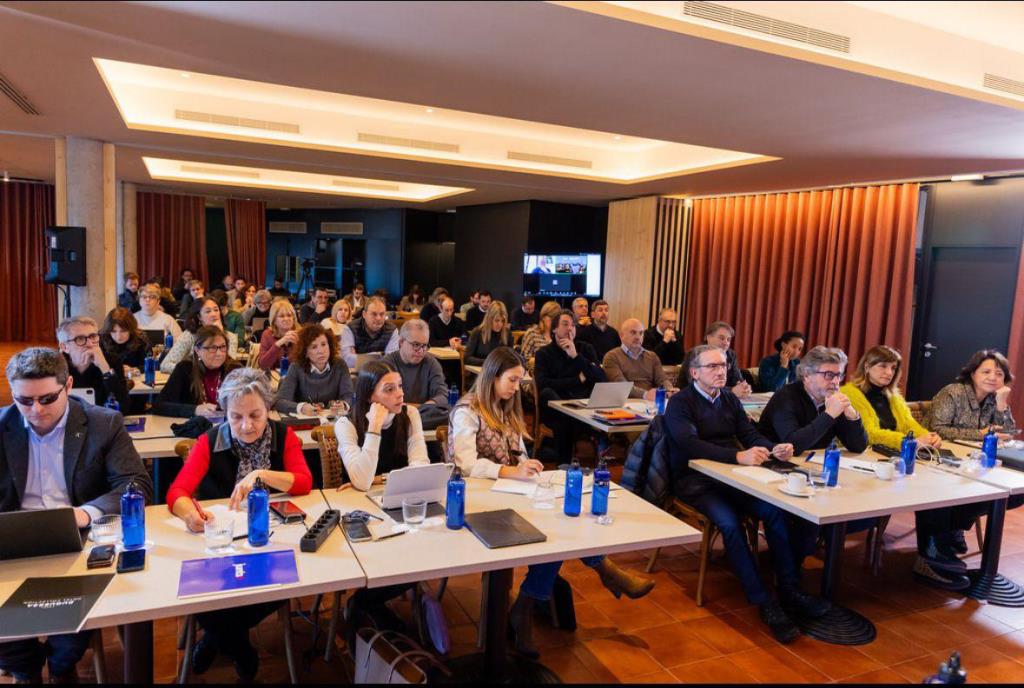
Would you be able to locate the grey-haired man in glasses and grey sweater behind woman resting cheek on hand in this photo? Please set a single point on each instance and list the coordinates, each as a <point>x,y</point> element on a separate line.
<point>422,377</point>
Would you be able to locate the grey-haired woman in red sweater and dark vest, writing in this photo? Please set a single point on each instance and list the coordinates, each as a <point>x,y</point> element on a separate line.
<point>226,463</point>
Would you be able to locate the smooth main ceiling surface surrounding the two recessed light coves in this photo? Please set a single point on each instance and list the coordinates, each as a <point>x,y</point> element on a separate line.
<point>528,61</point>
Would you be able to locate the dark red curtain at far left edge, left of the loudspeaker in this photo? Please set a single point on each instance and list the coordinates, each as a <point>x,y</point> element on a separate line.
<point>28,308</point>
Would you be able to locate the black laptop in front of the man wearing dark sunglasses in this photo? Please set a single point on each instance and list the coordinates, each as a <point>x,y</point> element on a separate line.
<point>37,534</point>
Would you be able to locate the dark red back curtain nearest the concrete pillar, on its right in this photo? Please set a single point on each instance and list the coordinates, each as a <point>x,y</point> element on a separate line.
<point>172,235</point>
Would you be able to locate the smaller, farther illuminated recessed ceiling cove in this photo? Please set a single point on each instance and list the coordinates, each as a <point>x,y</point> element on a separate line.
<point>288,181</point>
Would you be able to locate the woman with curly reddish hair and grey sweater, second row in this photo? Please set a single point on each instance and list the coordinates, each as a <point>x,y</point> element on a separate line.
<point>318,375</point>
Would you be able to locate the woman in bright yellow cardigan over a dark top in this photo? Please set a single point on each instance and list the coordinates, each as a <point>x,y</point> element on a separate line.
<point>874,393</point>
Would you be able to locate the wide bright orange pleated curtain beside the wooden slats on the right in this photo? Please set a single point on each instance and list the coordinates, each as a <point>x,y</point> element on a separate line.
<point>837,265</point>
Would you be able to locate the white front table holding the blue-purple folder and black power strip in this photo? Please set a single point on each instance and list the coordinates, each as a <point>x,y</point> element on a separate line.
<point>138,599</point>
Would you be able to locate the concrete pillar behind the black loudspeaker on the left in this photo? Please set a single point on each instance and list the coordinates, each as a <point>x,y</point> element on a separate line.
<point>87,196</point>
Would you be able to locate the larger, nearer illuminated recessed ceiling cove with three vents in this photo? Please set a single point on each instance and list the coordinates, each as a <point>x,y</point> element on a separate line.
<point>159,100</point>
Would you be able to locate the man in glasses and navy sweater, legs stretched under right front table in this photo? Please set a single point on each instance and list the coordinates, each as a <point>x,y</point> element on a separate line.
<point>707,421</point>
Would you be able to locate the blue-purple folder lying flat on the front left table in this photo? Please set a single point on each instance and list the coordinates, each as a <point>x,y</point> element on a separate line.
<point>239,572</point>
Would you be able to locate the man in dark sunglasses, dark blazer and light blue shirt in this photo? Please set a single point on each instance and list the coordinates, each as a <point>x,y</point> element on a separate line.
<point>56,452</point>
